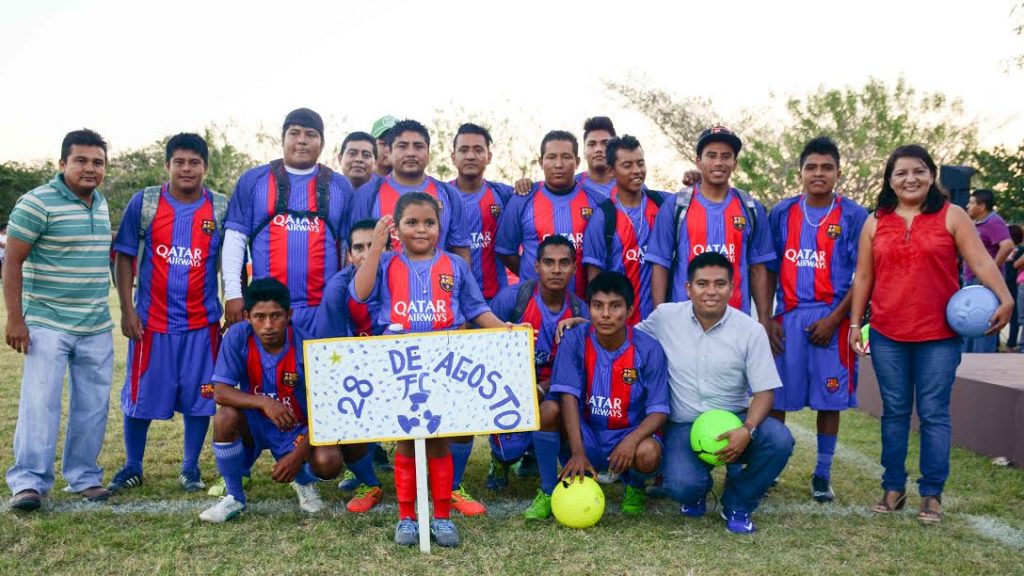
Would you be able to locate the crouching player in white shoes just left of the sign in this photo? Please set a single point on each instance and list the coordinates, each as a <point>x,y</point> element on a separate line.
<point>260,386</point>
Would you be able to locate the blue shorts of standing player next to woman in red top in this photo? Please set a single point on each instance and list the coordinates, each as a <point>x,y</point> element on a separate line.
<point>820,378</point>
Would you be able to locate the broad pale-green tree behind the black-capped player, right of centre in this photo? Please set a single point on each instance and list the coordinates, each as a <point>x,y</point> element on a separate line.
<point>867,124</point>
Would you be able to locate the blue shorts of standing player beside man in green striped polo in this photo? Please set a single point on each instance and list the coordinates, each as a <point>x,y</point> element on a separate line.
<point>166,375</point>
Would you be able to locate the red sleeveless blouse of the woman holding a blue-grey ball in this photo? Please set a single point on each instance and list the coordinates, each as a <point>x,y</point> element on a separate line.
<point>915,277</point>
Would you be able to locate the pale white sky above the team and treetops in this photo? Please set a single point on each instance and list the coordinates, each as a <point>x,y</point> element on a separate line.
<point>140,71</point>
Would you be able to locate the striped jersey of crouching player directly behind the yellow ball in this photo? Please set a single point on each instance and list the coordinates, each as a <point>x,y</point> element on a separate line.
<point>617,389</point>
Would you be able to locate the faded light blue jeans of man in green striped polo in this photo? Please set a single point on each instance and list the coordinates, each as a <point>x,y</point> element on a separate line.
<point>91,360</point>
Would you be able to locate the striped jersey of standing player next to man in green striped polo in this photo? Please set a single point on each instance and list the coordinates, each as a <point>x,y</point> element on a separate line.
<point>178,285</point>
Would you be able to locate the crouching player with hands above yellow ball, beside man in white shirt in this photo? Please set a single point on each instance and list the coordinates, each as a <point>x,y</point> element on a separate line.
<point>614,388</point>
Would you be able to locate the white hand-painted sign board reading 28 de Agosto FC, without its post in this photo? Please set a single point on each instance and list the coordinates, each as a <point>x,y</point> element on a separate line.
<point>434,385</point>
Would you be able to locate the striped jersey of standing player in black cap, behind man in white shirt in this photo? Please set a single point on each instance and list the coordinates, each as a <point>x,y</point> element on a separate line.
<point>721,227</point>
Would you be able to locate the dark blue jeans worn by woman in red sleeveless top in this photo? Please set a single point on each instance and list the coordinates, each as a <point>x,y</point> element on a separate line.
<point>922,374</point>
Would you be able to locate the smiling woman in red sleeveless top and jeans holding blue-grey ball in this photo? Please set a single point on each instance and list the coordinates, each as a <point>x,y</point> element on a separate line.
<point>909,253</point>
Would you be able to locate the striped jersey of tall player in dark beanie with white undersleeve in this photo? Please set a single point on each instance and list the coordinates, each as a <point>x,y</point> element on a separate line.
<point>301,252</point>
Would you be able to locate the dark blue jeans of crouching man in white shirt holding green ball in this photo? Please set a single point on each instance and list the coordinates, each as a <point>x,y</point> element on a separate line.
<point>688,479</point>
